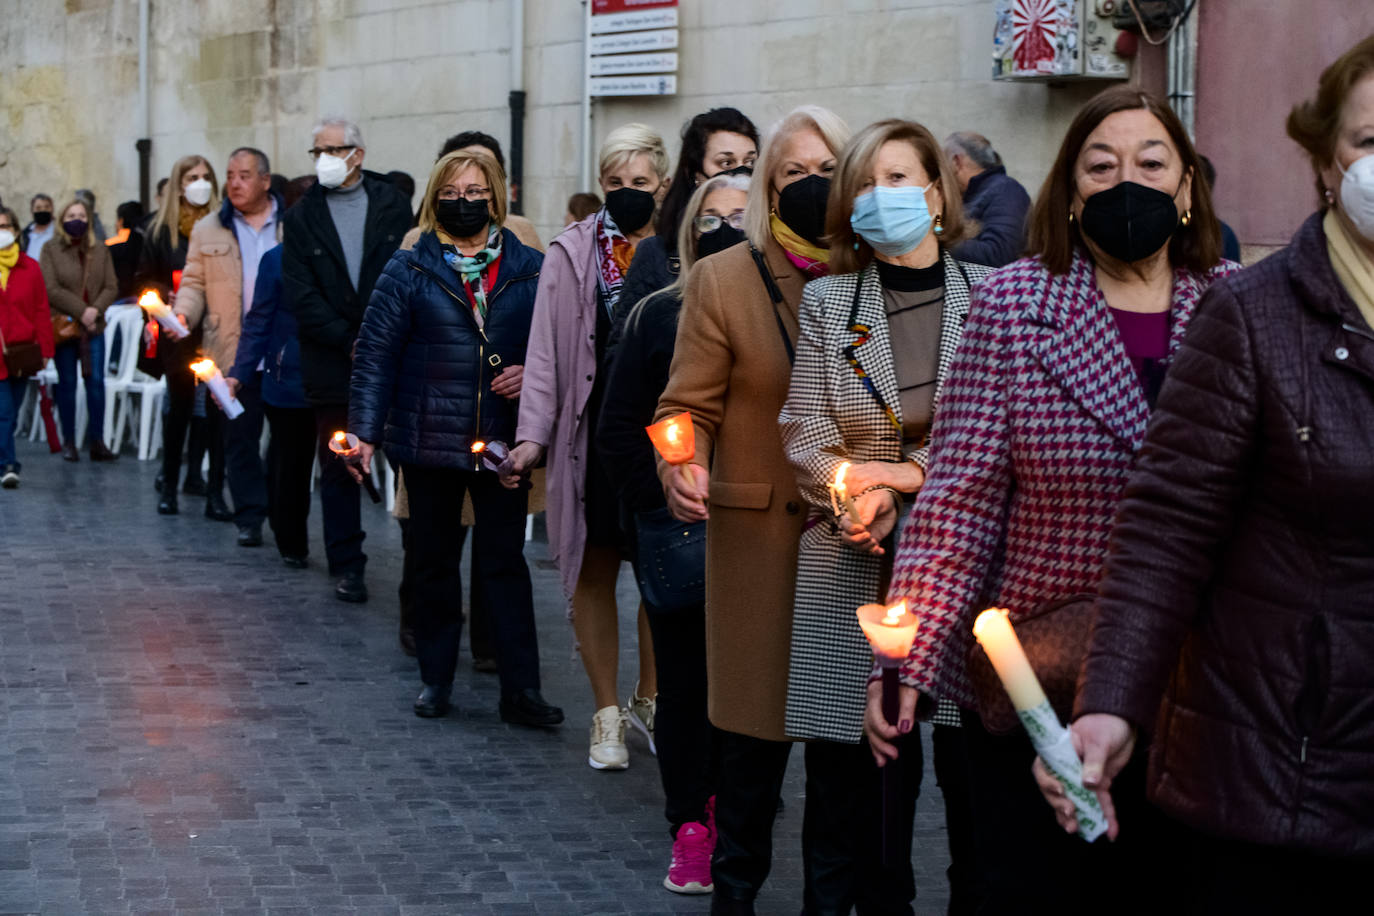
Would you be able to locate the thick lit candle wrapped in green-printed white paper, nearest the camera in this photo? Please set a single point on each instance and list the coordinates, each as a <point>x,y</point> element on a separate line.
<point>1048,734</point>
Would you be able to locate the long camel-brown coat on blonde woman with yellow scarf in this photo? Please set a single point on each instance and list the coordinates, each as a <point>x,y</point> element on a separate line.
<point>732,370</point>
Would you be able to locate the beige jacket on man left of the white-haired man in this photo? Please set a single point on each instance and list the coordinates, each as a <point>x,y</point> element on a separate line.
<point>212,288</point>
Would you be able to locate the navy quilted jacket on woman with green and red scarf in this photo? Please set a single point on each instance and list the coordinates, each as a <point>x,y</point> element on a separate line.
<point>423,376</point>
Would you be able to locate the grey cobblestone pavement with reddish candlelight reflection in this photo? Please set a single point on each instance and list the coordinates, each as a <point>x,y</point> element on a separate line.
<point>189,727</point>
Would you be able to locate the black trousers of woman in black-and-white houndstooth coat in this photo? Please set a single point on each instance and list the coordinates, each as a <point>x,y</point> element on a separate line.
<point>842,834</point>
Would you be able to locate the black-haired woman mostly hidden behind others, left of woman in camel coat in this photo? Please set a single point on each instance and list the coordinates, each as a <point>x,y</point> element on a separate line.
<point>717,142</point>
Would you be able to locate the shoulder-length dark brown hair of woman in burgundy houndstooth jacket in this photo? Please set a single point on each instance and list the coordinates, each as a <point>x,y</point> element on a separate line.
<point>1052,234</point>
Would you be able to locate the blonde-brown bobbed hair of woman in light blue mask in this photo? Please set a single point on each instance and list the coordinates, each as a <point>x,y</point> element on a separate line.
<point>848,252</point>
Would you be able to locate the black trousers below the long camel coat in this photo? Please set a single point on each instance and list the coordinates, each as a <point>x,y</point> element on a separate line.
<point>747,804</point>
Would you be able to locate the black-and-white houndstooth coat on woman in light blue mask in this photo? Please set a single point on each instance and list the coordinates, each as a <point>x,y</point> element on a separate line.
<point>831,417</point>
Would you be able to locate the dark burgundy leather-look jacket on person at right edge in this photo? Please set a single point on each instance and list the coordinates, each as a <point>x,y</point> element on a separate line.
<point>1240,584</point>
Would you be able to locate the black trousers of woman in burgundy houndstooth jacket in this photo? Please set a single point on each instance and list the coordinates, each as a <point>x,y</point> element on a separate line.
<point>1027,865</point>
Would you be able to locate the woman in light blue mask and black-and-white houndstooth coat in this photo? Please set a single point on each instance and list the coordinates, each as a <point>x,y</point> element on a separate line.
<point>877,339</point>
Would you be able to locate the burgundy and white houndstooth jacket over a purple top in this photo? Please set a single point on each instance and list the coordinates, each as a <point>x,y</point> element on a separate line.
<point>1039,422</point>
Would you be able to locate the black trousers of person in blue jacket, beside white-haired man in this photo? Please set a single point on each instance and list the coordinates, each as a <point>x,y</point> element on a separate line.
<point>291,458</point>
